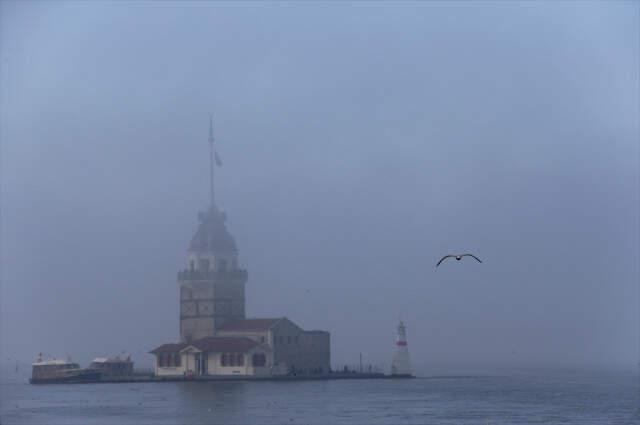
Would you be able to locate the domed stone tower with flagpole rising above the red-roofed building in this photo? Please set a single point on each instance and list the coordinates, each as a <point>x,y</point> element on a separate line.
<point>212,284</point>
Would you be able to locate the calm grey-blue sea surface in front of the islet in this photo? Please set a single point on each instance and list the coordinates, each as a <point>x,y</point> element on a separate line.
<point>514,398</point>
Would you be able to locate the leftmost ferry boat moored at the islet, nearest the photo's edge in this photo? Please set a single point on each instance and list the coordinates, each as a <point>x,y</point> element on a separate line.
<point>61,372</point>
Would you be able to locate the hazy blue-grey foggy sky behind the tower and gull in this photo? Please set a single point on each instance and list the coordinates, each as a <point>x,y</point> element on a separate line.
<point>360,142</point>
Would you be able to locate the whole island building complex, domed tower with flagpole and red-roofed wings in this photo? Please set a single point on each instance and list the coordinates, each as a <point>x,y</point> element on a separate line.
<point>215,336</point>
